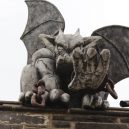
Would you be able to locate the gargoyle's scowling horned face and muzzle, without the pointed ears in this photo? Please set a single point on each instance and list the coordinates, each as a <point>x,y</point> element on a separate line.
<point>64,46</point>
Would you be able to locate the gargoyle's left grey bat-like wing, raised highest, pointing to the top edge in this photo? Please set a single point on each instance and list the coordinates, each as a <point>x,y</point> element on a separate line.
<point>43,17</point>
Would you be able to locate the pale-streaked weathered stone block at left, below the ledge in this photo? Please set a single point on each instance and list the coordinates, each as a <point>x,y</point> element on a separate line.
<point>24,118</point>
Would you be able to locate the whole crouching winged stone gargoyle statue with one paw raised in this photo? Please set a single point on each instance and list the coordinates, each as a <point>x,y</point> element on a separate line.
<point>75,71</point>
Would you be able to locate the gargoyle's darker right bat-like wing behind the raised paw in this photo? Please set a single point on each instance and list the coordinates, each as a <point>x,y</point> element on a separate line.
<point>116,39</point>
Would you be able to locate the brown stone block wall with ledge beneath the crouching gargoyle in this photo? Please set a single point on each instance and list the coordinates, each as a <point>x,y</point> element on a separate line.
<point>18,117</point>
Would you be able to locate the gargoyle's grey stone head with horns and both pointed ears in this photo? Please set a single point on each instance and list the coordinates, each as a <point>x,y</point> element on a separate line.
<point>63,45</point>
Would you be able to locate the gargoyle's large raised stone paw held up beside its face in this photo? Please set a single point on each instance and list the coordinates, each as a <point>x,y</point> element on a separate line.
<point>90,68</point>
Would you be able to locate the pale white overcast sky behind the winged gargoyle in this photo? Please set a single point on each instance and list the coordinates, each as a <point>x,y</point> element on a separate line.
<point>88,15</point>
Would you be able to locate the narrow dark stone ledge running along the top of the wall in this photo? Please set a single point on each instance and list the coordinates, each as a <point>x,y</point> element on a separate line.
<point>16,106</point>
